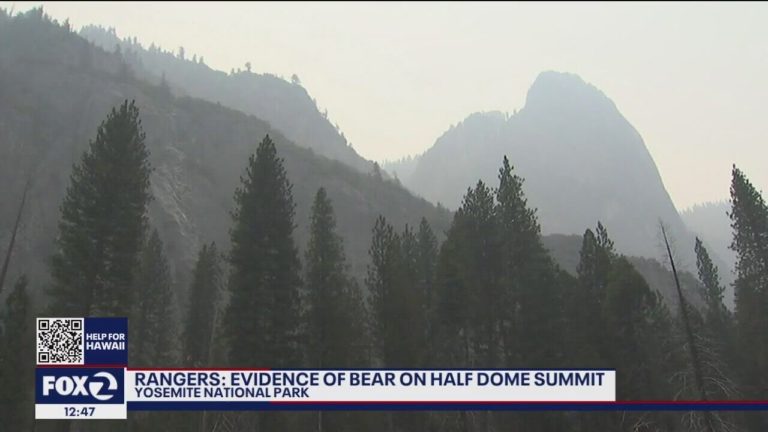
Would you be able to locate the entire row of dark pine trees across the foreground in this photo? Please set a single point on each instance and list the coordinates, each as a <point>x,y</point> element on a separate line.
<point>489,296</point>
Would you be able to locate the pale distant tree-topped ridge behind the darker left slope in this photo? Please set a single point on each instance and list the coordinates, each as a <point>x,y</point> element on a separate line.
<point>285,105</point>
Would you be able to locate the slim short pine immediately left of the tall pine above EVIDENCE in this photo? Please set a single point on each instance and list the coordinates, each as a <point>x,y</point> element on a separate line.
<point>203,300</point>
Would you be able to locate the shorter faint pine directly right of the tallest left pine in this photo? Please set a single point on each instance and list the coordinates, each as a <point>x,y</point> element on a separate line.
<point>154,329</point>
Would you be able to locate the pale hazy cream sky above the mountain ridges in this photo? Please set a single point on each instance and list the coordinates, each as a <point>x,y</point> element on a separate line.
<point>691,77</point>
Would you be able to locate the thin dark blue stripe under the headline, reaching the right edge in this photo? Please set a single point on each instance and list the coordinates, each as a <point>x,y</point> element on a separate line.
<point>457,406</point>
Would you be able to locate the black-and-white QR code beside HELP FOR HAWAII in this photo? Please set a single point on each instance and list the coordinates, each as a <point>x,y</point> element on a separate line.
<point>59,341</point>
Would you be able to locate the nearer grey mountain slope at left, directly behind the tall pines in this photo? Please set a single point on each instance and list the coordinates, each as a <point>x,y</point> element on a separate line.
<point>55,89</point>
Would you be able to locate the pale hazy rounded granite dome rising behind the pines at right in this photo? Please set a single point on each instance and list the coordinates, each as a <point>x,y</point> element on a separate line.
<point>581,160</point>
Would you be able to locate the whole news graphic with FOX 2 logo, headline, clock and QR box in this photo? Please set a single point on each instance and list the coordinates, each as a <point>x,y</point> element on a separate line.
<point>82,373</point>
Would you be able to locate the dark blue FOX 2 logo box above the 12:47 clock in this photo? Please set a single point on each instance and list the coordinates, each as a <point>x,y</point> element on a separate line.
<point>79,386</point>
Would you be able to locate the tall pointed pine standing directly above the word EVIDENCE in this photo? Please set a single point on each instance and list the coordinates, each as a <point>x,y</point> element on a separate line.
<point>262,316</point>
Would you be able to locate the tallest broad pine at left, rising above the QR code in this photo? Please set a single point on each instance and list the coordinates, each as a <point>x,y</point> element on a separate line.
<point>103,221</point>
